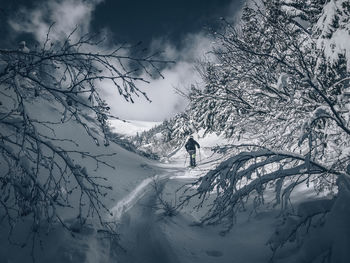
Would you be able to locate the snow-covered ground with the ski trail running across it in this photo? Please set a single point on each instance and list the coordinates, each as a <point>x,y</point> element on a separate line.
<point>147,236</point>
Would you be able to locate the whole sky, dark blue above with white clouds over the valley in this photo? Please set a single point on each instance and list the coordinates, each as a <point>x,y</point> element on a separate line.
<point>176,27</point>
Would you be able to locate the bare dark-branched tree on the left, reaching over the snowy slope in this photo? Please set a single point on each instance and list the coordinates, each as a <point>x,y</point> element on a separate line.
<point>42,90</point>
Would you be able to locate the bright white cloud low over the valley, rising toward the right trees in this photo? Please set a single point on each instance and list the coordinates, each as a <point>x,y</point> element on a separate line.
<point>165,101</point>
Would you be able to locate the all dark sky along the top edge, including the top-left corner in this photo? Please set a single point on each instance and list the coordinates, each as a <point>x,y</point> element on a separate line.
<point>134,20</point>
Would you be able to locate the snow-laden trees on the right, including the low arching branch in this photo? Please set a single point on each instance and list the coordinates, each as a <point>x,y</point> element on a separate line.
<point>282,77</point>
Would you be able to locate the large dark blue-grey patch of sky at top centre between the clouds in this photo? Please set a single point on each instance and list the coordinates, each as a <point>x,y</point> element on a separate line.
<point>135,20</point>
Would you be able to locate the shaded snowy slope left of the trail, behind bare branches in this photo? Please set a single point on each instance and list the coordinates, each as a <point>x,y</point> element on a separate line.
<point>88,244</point>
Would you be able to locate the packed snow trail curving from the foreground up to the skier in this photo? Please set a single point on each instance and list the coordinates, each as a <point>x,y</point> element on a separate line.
<point>142,238</point>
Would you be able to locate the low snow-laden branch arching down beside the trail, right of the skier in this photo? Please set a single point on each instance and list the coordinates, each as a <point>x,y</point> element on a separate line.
<point>251,174</point>
